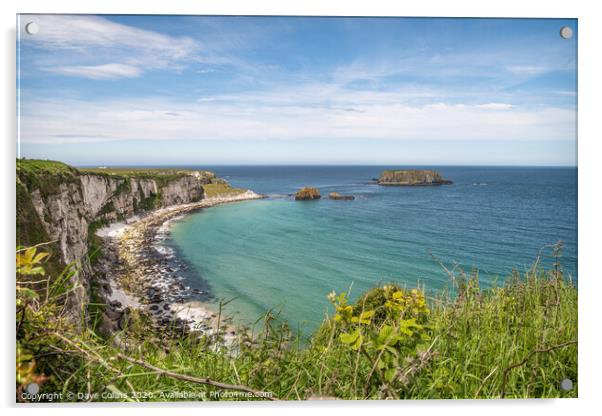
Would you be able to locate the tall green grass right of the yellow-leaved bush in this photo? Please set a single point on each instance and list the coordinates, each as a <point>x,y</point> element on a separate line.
<point>484,334</point>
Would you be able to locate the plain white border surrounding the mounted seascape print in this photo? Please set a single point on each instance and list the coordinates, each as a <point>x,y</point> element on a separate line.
<point>590,28</point>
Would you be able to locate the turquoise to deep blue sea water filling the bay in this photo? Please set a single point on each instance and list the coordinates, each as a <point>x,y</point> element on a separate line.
<point>286,254</point>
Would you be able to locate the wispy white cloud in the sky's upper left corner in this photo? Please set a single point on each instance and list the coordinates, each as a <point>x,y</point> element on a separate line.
<point>81,45</point>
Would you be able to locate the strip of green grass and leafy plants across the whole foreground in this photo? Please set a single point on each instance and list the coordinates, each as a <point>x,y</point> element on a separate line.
<point>515,340</point>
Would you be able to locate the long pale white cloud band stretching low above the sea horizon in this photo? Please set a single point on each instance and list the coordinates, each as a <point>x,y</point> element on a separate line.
<point>291,113</point>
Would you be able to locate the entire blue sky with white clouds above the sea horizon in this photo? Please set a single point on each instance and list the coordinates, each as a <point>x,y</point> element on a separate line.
<point>168,90</point>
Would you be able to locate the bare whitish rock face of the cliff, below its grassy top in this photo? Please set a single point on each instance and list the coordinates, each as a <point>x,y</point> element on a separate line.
<point>68,210</point>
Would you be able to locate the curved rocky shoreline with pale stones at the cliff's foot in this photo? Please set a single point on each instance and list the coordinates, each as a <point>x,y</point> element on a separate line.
<point>144,274</point>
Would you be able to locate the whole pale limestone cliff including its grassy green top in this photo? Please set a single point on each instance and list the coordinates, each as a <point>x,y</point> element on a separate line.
<point>56,202</point>
